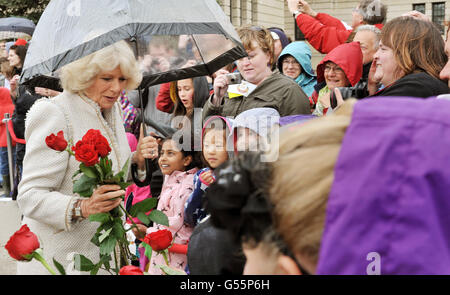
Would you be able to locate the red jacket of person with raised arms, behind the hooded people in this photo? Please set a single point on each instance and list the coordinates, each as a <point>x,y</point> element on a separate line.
<point>324,32</point>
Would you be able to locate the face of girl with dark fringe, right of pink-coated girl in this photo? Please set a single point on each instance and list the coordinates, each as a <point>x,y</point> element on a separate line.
<point>214,147</point>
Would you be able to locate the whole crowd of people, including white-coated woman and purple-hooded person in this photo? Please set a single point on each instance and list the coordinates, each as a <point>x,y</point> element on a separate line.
<point>271,166</point>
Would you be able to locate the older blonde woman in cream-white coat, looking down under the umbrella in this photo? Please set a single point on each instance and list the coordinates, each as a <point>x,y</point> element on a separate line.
<point>92,86</point>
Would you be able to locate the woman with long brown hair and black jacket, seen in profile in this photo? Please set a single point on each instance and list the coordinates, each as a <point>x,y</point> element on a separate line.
<point>409,60</point>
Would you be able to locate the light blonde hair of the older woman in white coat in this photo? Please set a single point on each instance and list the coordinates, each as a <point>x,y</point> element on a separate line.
<point>78,76</point>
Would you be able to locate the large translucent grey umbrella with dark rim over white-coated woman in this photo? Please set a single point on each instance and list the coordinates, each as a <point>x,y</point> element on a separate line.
<point>196,30</point>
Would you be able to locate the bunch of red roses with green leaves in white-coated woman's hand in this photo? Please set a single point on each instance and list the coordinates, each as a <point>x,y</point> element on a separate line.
<point>95,169</point>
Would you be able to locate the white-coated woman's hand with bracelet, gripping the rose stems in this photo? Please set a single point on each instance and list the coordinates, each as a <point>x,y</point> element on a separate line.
<point>104,199</point>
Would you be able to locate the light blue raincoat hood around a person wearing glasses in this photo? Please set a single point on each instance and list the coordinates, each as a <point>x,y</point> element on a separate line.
<point>302,53</point>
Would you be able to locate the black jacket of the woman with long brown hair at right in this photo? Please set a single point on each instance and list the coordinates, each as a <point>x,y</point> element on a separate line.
<point>415,85</point>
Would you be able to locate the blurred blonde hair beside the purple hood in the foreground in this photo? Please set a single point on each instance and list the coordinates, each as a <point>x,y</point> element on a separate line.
<point>302,178</point>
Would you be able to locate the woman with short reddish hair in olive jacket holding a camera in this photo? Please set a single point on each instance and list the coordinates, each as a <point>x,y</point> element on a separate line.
<point>262,87</point>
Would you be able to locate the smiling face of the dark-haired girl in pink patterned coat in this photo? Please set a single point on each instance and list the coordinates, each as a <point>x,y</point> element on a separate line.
<point>172,159</point>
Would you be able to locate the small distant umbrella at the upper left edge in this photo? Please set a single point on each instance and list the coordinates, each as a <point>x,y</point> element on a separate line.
<point>16,27</point>
